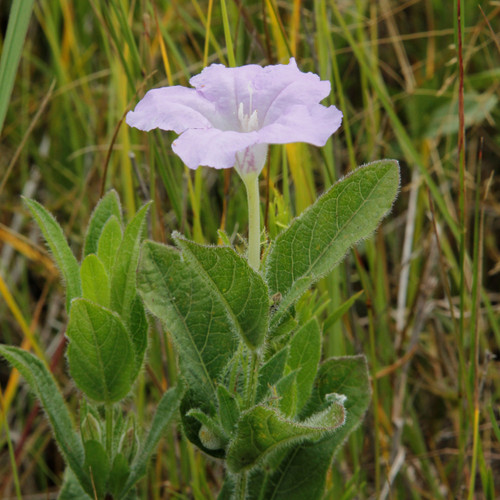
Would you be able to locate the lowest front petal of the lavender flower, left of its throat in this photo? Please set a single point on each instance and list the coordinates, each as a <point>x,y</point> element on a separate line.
<point>212,147</point>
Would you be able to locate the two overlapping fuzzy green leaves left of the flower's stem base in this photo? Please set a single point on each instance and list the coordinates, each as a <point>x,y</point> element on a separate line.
<point>210,300</point>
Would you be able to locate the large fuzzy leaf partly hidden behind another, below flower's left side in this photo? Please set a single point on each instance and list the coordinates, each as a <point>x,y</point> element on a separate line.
<point>174,292</point>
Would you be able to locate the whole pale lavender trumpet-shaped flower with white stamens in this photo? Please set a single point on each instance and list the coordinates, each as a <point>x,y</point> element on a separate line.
<point>232,114</point>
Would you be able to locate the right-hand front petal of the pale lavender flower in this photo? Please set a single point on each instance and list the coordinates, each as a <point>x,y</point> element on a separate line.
<point>311,124</point>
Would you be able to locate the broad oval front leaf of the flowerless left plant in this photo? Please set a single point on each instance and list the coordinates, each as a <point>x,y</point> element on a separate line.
<point>100,352</point>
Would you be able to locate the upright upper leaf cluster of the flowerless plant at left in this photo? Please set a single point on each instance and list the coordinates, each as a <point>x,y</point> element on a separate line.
<point>107,327</point>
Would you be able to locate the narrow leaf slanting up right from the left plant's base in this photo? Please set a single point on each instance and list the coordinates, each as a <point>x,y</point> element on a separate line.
<point>167,408</point>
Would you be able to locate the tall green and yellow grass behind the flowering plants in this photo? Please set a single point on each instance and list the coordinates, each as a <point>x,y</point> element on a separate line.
<point>417,80</point>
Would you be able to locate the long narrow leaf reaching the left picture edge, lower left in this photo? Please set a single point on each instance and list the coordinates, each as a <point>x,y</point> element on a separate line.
<point>43,385</point>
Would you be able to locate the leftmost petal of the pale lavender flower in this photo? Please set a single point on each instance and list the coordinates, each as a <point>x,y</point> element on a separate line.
<point>171,108</point>
